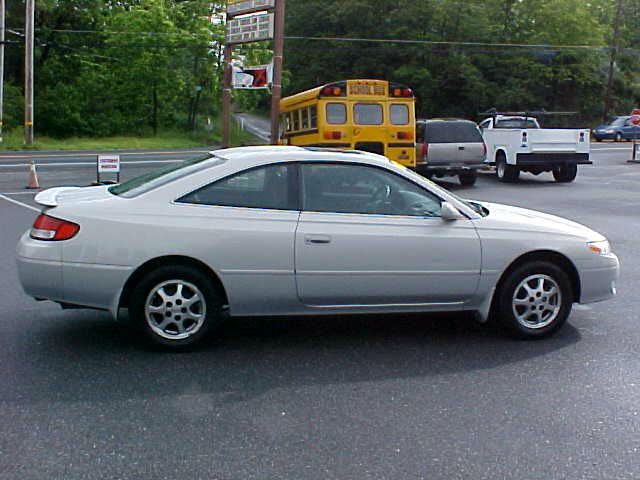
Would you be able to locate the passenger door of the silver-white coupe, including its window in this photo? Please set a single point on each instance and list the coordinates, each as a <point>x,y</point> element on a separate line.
<point>368,236</point>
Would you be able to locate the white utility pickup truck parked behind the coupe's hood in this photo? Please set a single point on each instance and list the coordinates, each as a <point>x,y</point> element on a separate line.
<point>517,144</point>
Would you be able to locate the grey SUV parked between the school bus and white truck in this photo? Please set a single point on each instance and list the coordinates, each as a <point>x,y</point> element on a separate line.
<point>449,147</point>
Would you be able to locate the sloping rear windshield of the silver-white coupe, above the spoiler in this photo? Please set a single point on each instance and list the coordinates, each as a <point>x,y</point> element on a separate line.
<point>149,181</point>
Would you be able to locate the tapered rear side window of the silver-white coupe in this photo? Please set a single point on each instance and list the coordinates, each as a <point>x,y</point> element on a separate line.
<point>268,187</point>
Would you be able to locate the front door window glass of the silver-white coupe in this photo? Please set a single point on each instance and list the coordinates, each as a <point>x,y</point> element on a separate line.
<point>361,189</point>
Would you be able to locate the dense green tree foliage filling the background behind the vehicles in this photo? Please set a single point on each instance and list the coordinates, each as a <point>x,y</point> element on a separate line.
<point>117,78</point>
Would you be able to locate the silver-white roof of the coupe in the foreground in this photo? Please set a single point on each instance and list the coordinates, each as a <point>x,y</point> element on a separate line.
<point>276,153</point>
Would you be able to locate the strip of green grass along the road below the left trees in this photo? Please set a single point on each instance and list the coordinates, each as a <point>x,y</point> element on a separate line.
<point>14,140</point>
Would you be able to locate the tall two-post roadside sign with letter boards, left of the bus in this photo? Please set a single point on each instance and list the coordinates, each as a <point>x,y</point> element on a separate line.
<point>254,21</point>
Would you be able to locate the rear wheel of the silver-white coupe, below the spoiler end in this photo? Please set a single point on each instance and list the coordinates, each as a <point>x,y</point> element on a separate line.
<point>176,306</point>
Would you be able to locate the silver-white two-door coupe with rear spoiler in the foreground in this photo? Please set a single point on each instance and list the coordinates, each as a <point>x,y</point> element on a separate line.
<point>295,231</point>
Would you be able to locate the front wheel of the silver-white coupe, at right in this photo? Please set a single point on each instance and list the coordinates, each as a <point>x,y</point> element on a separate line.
<point>505,307</point>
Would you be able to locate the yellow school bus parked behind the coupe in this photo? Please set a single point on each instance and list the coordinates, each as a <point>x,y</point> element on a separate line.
<point>371,115</point>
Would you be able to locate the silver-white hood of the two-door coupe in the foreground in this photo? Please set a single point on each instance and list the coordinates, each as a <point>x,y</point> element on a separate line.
<point>516,218</point>
